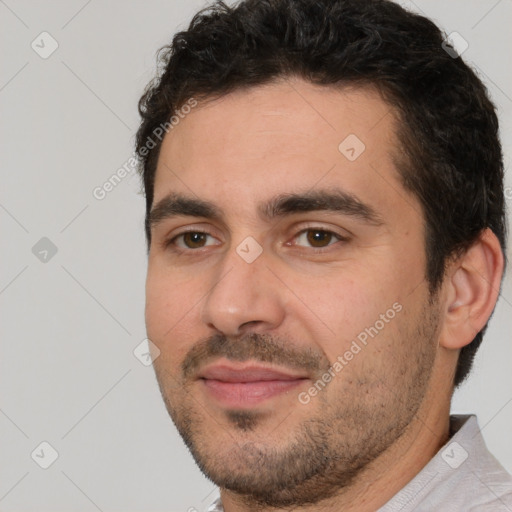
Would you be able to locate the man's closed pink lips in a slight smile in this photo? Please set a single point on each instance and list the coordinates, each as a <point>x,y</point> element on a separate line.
<point>246,385</point>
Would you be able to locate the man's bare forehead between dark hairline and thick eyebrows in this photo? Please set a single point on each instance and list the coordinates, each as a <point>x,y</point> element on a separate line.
<point>280,137</point>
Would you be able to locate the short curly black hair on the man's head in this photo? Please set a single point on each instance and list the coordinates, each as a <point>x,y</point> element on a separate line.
<point>450,150</point>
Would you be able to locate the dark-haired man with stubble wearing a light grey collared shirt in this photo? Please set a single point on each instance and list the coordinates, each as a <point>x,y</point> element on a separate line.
<point>326,232</point>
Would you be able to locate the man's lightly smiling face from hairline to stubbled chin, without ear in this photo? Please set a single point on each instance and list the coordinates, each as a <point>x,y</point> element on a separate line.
<point>253,298</point>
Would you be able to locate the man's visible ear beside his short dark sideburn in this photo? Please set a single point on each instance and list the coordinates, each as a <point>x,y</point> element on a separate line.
<point>472,288</point>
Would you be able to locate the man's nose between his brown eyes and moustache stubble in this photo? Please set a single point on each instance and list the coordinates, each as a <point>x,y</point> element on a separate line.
<point>243,297</point>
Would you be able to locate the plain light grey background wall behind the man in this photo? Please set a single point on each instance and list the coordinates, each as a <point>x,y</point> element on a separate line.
<point>68,374</point>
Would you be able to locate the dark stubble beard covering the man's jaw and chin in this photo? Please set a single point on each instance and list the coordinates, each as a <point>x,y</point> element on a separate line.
<point>323,455</point>
